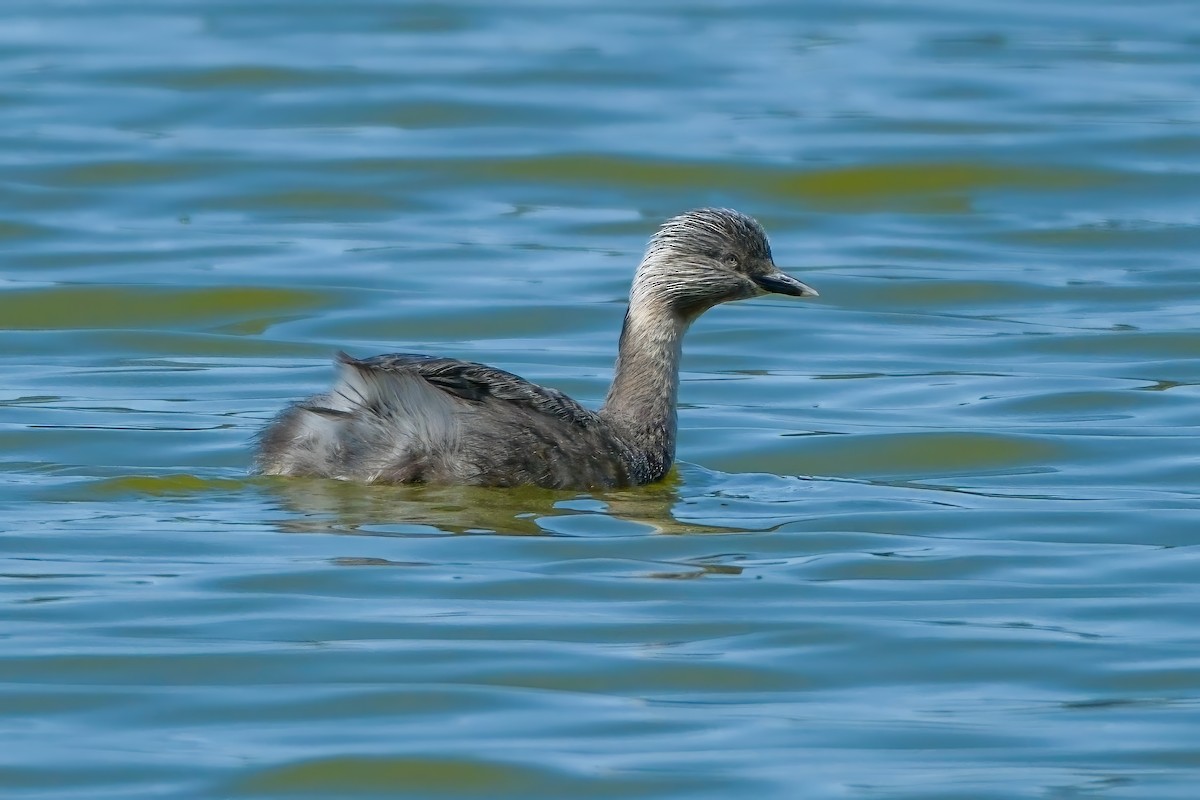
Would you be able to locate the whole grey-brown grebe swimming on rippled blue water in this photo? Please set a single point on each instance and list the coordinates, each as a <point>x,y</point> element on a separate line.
<point>419,419</point>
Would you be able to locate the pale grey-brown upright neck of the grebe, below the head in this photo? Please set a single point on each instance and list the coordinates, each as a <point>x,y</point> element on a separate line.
<point>641,402</point>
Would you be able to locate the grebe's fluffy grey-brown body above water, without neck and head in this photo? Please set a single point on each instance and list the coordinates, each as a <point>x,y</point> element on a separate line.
<point>405,419</point>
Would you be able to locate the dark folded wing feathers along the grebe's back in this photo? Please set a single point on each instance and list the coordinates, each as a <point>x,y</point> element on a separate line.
<point>477,383</point>
